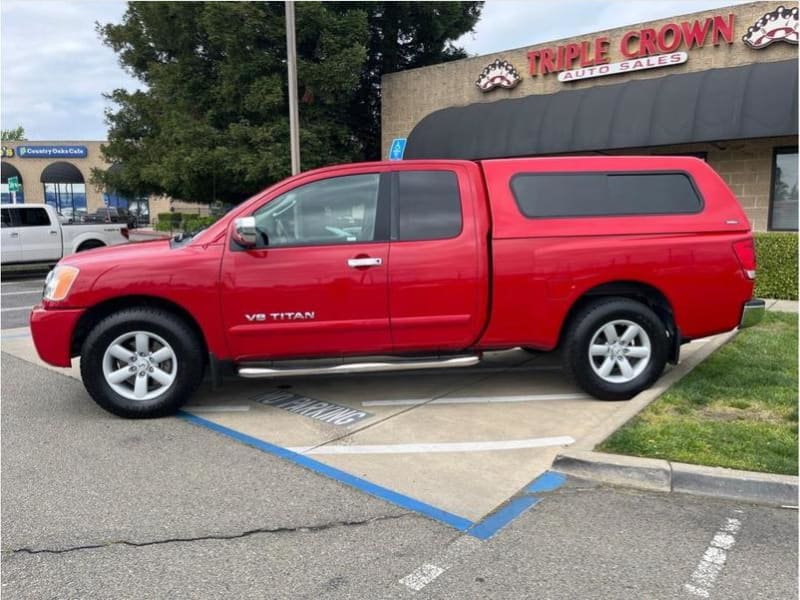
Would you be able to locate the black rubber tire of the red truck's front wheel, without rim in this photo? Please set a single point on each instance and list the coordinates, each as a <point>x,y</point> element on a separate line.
<point>184,343</point>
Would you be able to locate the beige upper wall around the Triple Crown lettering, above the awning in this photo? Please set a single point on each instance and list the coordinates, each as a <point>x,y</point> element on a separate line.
<point>409,96</point>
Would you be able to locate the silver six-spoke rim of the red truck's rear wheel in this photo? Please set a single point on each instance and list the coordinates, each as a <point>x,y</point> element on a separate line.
<point>619,351</point>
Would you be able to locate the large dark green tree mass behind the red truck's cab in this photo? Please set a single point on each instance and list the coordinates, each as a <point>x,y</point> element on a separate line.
<point>212,119</point>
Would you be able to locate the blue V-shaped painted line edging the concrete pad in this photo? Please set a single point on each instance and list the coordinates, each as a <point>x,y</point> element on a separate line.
<point>482,530</point>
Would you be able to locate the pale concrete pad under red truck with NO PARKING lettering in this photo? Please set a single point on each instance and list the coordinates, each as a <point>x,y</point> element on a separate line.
<point>453,444</point>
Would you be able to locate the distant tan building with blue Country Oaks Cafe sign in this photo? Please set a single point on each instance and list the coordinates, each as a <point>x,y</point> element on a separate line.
<point>59,173</point>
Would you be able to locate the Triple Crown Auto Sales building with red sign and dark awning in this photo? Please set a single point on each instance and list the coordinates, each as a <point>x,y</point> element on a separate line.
<point>720,85</point>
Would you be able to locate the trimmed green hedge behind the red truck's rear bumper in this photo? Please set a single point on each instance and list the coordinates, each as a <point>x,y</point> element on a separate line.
<point>777,265</point>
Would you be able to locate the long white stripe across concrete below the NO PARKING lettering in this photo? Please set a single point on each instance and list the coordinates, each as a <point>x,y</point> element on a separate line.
<point>563,440</point>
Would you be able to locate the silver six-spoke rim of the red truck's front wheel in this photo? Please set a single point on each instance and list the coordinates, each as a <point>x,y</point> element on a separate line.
<point>140,365</point>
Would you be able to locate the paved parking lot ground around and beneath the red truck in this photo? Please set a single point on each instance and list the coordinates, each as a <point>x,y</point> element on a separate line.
<point>257,491</point>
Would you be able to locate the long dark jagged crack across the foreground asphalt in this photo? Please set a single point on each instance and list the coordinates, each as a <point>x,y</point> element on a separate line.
<point>233,536</point>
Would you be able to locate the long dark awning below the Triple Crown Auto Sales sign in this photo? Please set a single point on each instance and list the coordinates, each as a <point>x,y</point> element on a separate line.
<point>757,100</point>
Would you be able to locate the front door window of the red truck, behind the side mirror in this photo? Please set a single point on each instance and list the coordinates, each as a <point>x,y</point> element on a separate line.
<point>340,210</point>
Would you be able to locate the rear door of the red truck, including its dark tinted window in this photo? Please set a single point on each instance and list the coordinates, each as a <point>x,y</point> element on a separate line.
<point>438,259</point>
